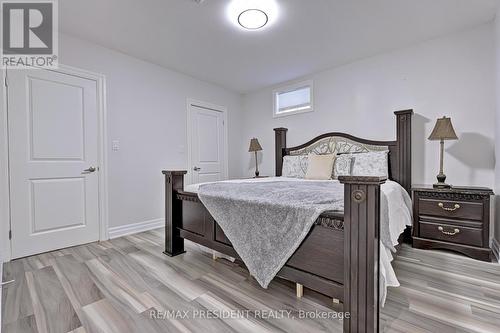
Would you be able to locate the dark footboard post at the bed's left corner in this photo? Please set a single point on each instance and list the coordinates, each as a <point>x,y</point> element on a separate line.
<point>174,181</point>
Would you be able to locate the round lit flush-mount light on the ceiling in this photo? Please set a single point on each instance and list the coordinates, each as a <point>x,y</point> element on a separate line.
<point>252,14</point>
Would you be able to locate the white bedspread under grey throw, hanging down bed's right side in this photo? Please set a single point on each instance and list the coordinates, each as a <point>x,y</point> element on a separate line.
<point>395,208</point>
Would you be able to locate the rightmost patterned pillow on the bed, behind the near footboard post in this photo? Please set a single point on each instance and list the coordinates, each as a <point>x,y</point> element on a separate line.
<point>371,164</point>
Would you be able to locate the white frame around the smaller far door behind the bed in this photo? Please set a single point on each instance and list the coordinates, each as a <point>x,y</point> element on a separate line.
<point>213,107</point>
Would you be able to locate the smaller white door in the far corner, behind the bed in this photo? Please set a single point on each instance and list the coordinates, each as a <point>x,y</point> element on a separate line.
<point>207,144</point>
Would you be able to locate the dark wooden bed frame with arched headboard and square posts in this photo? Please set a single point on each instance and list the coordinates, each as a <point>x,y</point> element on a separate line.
<point>340,256</point>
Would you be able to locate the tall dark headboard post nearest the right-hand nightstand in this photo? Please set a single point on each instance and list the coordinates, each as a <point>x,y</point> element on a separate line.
<point>403,126</point>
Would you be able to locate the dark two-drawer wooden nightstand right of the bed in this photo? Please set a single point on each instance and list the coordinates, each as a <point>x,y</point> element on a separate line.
<point>456,219</point>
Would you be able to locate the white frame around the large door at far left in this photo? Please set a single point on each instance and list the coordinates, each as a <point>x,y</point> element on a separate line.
<point>5,218</point>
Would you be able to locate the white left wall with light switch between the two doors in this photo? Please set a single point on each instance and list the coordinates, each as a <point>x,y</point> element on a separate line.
<point>147,113</point>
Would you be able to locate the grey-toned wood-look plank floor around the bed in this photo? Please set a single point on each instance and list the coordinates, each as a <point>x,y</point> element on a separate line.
<point>116,286</point>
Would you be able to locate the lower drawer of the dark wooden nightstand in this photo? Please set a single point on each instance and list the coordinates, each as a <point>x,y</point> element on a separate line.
<point>451,233</point>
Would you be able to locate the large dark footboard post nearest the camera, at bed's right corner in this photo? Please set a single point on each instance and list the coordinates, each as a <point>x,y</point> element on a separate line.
<point>361,252</point>
